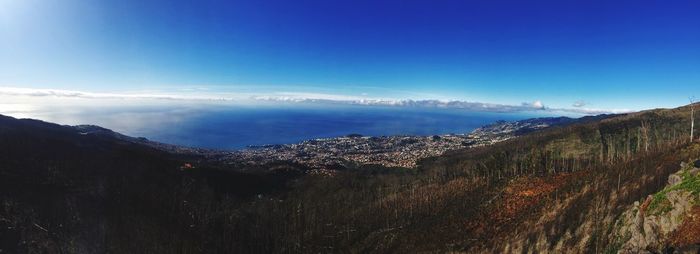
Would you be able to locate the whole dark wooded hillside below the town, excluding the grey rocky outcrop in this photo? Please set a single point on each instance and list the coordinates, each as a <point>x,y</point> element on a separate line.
<point>559,189</point>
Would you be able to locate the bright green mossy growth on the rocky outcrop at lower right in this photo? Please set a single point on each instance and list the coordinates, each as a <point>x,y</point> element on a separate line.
<point>660,203</point>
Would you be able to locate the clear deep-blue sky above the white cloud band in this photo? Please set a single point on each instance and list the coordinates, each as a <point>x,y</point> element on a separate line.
<point>611,54</point>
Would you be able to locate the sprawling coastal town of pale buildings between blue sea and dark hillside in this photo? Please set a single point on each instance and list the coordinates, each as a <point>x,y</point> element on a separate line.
<point>388,151</point>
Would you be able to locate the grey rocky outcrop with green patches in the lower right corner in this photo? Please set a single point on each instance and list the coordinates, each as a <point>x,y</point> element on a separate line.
<point>665,222</point>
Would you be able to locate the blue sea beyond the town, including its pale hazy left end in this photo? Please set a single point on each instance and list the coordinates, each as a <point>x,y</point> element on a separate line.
<point>239,126</point>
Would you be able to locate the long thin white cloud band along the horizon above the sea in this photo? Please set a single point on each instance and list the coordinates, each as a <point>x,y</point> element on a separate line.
<point>297,97</point>
